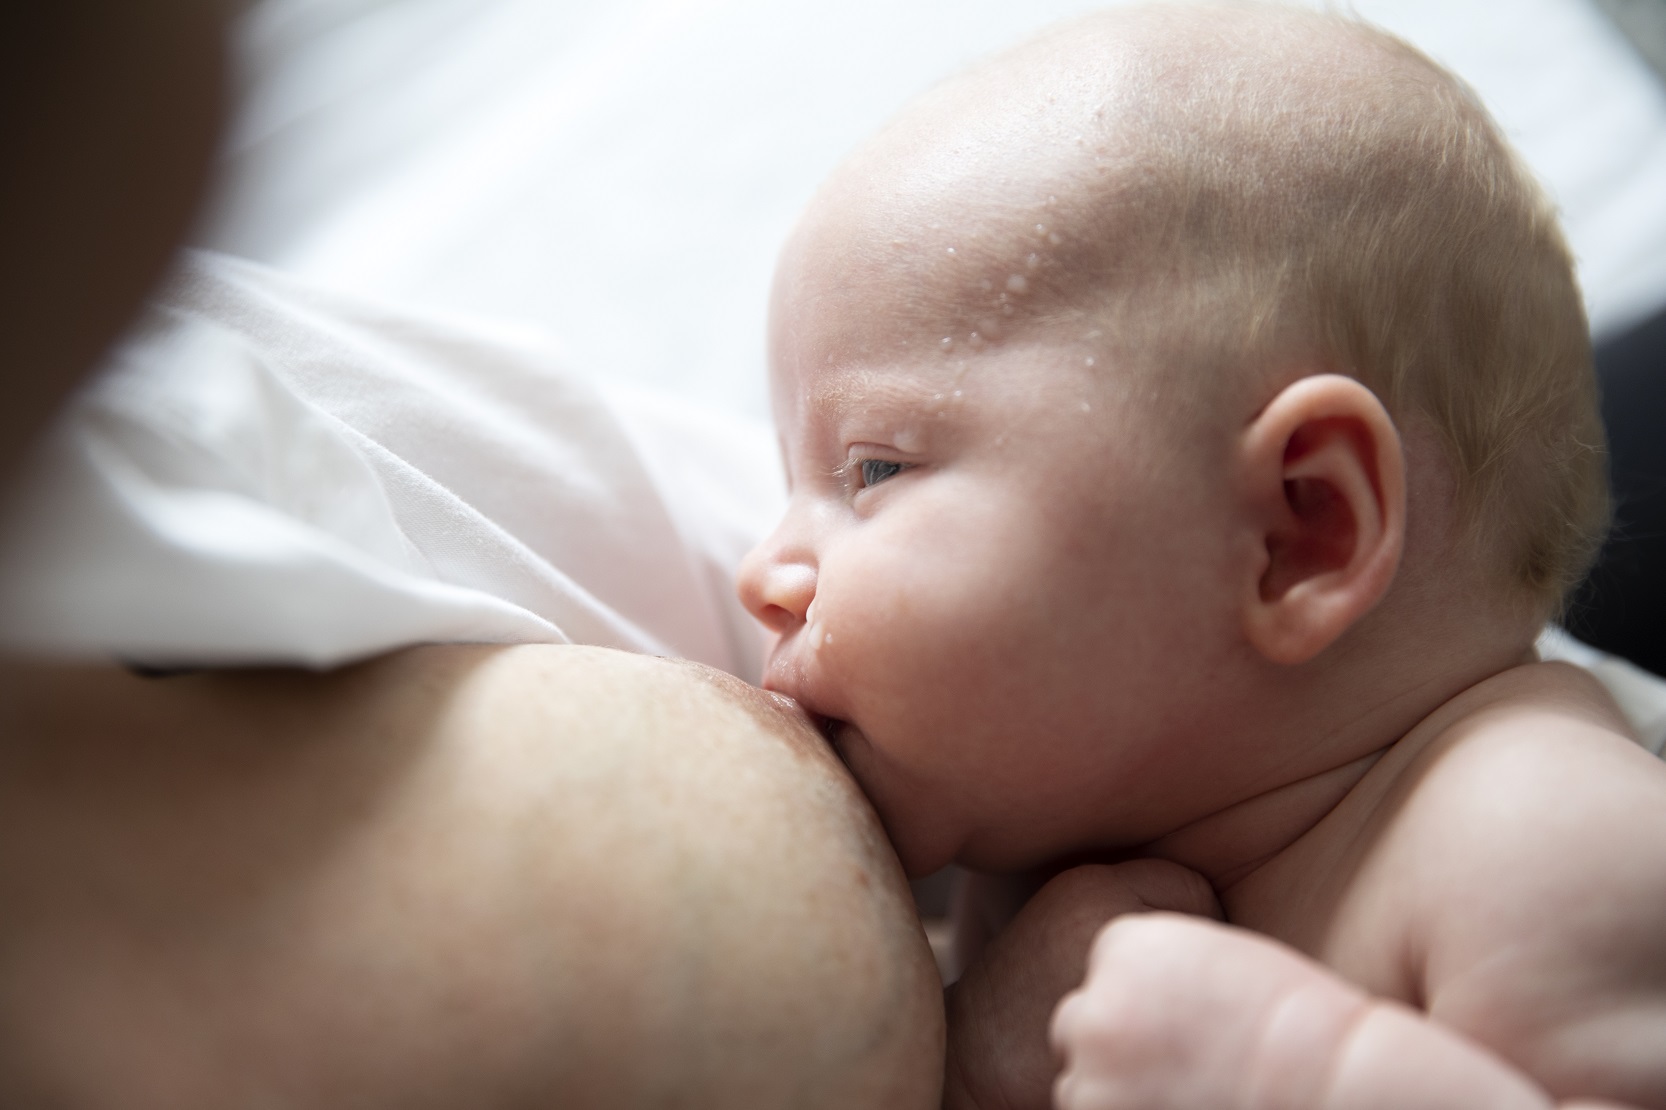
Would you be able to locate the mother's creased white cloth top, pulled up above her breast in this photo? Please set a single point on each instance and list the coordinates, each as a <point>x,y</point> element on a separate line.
<point>272,474</point>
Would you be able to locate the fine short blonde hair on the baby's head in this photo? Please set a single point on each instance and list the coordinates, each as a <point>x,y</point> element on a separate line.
<point>1300,189</point>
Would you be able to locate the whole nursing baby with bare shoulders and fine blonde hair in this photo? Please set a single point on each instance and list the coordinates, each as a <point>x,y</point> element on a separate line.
<point>1190,424</point>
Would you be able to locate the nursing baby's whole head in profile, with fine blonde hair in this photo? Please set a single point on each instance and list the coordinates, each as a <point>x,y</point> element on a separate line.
<point>1154,397</point>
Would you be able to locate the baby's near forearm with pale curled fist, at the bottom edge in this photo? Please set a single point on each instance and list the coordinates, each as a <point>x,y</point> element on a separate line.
<point>1185,1014</point>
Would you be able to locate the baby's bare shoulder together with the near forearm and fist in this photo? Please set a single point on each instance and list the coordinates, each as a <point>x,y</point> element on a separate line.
<point>1544,989</point>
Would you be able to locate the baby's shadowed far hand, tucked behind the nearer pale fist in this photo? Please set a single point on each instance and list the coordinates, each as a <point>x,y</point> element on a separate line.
<point>999,1056</point>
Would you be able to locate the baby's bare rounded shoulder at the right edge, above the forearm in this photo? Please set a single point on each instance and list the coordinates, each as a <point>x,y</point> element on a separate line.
<point>1529,834</point>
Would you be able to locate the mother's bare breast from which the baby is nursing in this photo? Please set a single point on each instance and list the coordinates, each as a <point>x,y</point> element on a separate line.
<point>456,876</point>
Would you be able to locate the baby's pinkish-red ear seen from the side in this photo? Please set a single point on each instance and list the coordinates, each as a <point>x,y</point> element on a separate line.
<point>1327,497</point>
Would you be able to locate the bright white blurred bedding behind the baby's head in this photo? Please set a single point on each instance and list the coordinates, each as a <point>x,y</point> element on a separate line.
<point>619,174</point>
